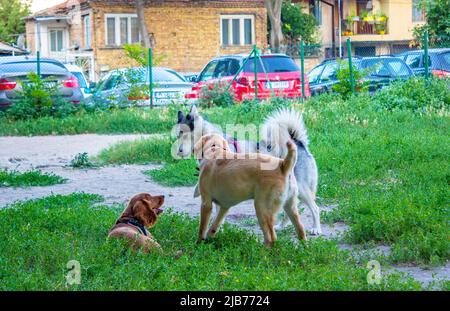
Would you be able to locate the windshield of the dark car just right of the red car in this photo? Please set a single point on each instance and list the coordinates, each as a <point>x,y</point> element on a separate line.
<point>386,67</point>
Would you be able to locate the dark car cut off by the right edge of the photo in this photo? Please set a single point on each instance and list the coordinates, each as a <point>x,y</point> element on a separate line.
<point>438,61</point>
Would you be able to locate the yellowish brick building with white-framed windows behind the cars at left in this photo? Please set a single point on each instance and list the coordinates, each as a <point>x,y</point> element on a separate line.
<point>187,32</point>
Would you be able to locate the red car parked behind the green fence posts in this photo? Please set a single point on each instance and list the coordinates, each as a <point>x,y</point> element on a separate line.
<point>283,75</point>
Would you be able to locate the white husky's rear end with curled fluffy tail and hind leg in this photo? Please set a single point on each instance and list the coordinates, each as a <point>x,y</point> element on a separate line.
<point>287,125</point>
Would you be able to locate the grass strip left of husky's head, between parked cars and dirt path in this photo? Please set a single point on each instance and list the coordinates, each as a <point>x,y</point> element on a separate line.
<point>119,121</point>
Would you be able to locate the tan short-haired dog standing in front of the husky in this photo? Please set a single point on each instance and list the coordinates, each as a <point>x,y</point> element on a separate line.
<point>228,178</point>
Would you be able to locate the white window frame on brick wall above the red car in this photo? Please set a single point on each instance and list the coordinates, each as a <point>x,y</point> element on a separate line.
<point>242,18</point>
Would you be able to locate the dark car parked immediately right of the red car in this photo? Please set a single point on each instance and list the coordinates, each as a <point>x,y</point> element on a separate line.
<point>381,71</point>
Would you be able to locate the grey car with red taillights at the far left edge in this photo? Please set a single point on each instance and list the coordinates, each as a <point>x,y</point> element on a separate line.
<point>15,70</point>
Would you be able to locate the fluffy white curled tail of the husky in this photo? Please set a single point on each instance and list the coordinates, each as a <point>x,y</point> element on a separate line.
<point>291,121</point>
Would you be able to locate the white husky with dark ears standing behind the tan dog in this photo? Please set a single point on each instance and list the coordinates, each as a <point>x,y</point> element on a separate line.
<point>281,126</point>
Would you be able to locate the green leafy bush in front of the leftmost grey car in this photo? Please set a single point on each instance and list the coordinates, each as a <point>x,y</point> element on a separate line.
<point>38,98</point>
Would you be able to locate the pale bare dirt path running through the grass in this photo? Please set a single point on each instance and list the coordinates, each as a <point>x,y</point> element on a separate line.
<point>118,183</point>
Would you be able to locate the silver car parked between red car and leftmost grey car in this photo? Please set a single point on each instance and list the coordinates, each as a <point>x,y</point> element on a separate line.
<point>129,86</point>
